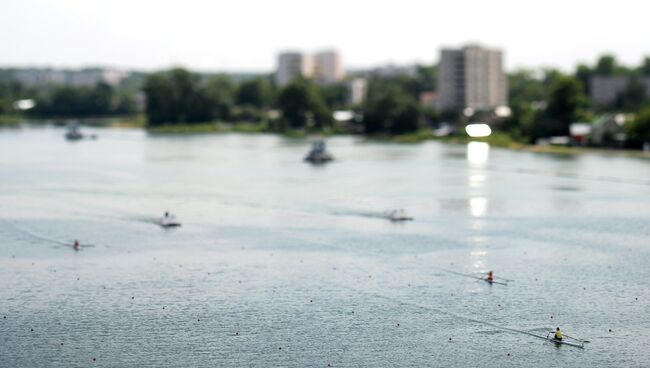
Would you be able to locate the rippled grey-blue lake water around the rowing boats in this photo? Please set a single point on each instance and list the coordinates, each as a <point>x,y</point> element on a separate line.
<point>280,263</point>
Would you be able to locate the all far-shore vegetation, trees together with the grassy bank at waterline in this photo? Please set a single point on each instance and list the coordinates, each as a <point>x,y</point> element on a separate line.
<point>399,107</point>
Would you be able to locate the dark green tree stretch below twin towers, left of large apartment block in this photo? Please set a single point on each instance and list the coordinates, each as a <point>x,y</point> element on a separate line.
<point>179,96</point>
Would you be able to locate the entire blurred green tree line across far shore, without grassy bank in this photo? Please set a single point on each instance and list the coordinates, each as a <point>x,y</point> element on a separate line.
<point>543,103</point>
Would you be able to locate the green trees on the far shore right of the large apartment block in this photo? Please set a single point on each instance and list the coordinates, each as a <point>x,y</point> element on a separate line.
<point>546,103</point>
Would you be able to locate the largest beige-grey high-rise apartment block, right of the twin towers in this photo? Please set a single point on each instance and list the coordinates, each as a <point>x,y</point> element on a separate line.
<point>471,77</point>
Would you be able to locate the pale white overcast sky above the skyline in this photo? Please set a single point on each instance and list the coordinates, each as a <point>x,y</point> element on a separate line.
<point>246,35</point>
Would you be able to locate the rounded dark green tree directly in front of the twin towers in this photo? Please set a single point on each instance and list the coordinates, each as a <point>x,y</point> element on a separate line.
<point>302,106</point>
